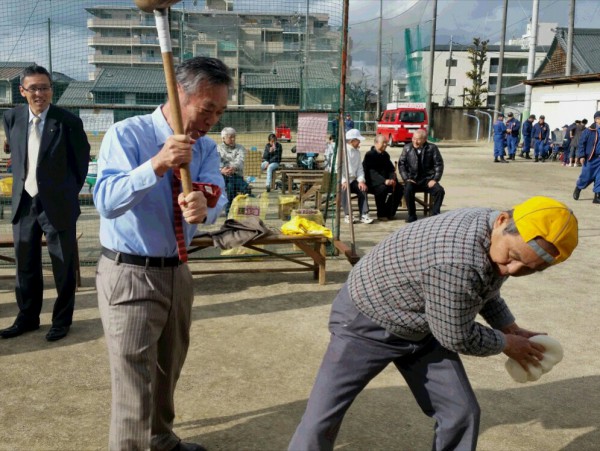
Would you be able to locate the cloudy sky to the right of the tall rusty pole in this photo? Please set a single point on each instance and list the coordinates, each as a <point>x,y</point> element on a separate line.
<point>460,19</point>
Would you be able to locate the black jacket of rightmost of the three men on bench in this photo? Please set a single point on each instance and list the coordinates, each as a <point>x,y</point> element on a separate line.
<point>432,163</point>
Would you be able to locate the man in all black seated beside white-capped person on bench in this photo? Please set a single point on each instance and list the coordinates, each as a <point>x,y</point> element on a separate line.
<point>381,179</point>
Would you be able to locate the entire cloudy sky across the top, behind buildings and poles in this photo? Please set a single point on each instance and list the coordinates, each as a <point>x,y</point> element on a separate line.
<point>24,26</point>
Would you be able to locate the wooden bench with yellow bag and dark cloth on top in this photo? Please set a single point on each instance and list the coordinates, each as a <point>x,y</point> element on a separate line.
<point>313,247</point>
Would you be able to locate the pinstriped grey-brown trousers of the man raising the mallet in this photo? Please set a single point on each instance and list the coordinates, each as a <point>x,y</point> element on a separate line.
<point>146,315</point>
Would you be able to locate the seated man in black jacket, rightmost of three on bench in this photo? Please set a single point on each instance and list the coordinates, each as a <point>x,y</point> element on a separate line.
<point>421,167</point>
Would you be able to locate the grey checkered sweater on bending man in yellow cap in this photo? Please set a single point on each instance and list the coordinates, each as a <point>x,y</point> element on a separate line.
<point>435,276</point>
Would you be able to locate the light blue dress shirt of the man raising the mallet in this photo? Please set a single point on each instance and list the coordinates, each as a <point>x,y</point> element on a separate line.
<point>135,205</point>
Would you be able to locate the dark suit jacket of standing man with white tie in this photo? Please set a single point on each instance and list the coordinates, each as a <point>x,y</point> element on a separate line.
<point>61,167</point>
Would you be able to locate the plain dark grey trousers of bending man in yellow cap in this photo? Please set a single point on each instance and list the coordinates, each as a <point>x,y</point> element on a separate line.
<point>358,351</point>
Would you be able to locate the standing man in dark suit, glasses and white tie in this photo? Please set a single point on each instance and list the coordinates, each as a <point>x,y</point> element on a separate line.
<point>50,155</point>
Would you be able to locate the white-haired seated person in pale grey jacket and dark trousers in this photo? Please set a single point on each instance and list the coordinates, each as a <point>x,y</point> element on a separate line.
<point>232,165</point>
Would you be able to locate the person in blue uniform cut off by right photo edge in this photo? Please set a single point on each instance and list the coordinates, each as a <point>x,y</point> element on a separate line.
<point>588,153</point>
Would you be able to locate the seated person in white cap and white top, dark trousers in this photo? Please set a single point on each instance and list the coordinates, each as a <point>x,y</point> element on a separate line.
<point>354,178</point>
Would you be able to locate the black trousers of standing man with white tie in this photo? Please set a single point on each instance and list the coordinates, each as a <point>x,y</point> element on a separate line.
<point>27,233</point>
